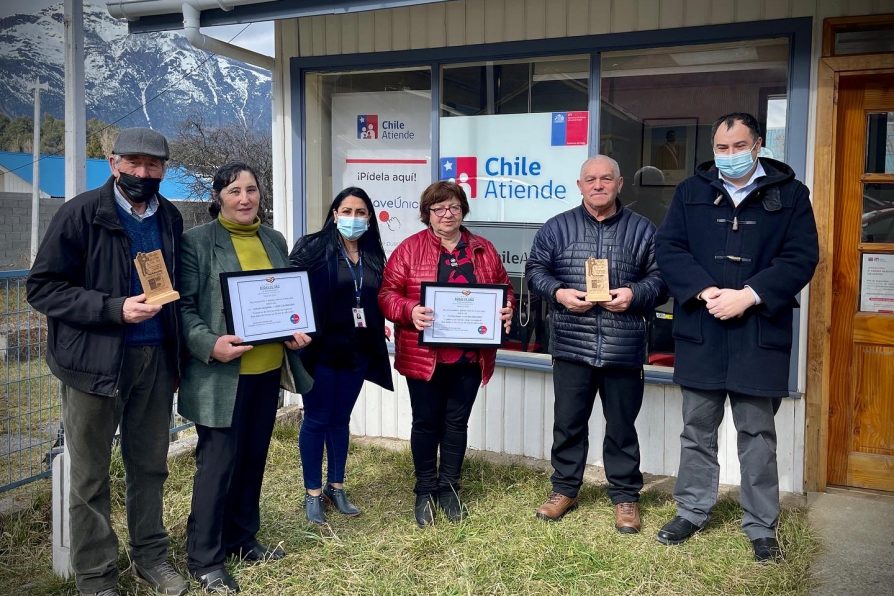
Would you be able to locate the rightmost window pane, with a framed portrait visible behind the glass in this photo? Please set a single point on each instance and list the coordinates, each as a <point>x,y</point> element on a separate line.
<point>647,92</point>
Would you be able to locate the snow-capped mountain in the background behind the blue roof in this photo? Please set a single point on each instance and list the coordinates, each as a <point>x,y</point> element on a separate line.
<point>149,79</point>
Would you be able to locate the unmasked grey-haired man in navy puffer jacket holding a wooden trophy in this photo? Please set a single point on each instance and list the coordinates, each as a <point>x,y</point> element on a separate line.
<point>597,346</point>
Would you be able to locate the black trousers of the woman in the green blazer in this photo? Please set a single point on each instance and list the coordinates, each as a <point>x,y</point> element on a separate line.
<point>226,490</point>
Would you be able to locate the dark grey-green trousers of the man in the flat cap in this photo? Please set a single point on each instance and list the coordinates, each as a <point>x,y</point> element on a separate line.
<point>143,410</point>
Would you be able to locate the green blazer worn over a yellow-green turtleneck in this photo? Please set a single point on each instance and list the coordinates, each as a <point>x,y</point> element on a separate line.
<point>208,387</point>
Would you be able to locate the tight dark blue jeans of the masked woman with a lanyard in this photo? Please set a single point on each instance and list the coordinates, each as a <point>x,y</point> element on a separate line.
<point>327,414</point>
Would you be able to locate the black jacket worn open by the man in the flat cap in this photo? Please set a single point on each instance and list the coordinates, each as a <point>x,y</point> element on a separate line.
<point>80,279</point>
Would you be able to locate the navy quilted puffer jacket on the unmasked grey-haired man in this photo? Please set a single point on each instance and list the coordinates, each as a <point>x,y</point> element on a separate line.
<point>557,259</point>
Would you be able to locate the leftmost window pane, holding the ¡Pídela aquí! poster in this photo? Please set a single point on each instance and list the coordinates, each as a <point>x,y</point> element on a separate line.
<point>370,129</point>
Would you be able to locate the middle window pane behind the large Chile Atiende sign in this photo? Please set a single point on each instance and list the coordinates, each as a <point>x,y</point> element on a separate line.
<point>514,134</point>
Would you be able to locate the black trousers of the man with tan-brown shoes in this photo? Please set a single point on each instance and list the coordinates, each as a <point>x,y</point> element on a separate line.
<point>621,392</point>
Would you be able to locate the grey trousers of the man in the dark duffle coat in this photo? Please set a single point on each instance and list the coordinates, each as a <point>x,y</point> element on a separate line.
<point>699,475</point>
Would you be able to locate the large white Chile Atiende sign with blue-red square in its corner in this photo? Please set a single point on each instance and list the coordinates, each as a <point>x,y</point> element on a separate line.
<point>515,167</point>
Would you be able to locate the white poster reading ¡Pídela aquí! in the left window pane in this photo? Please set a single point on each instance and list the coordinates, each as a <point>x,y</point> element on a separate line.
<point>381,142</point>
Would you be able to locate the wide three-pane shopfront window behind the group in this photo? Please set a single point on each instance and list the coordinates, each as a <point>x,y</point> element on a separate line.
<point>515,132</point>
